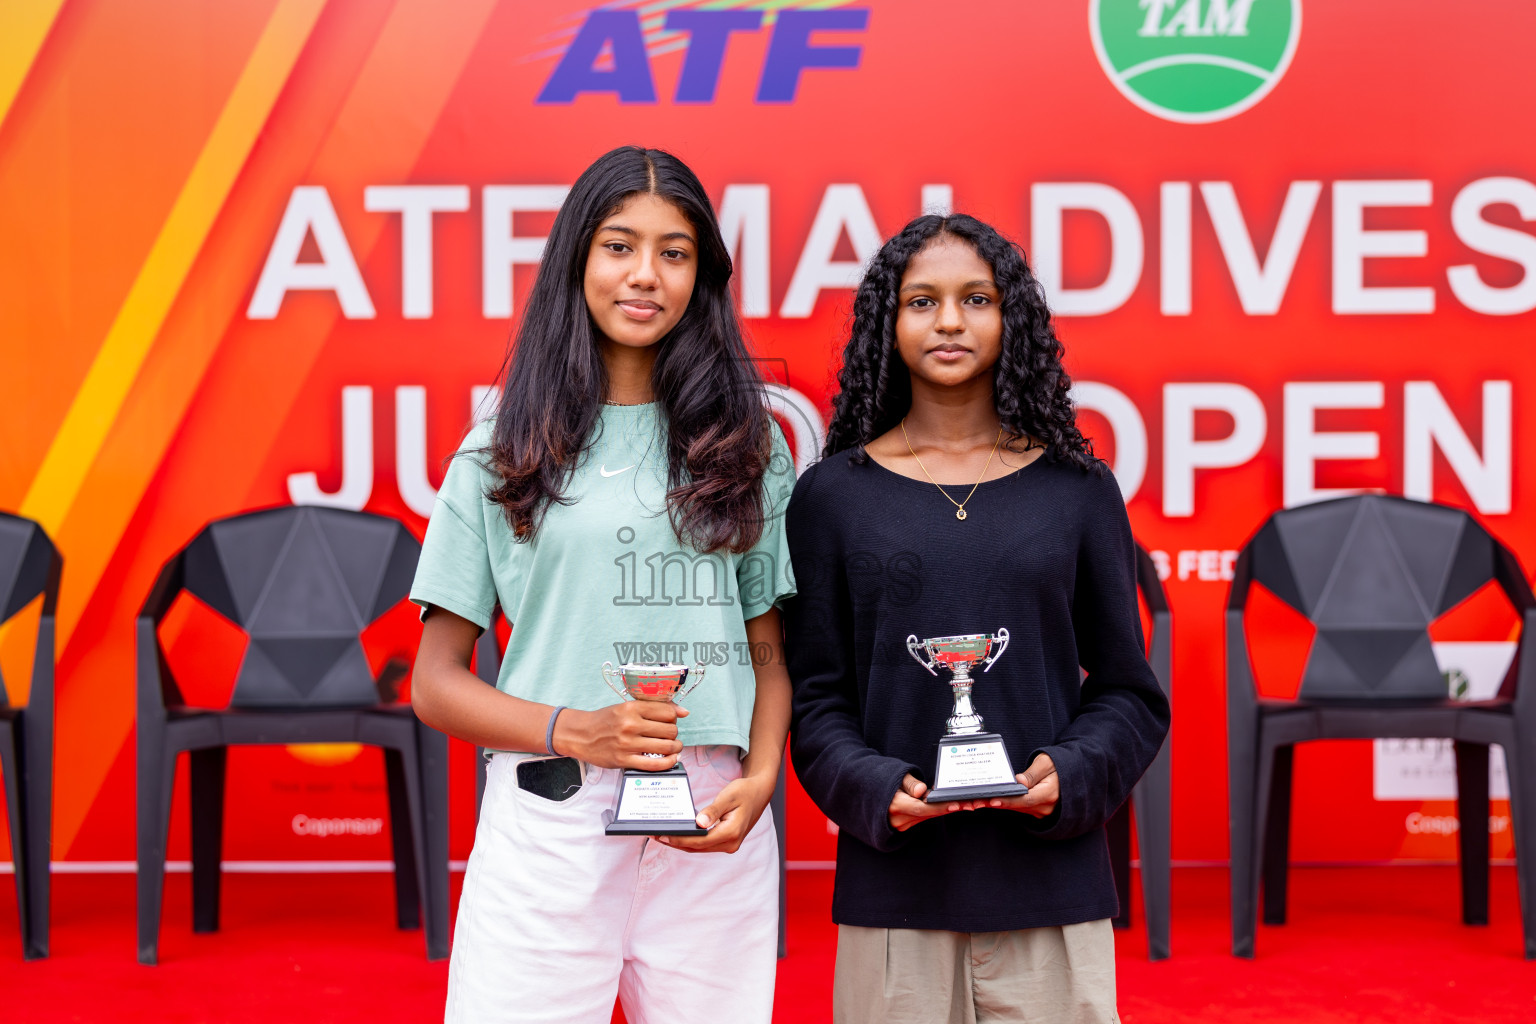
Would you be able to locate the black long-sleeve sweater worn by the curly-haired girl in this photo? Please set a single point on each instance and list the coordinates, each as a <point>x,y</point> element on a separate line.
<point>1045,552</point>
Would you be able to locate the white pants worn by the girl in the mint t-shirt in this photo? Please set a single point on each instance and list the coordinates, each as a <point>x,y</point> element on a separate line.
<point>558,919</point>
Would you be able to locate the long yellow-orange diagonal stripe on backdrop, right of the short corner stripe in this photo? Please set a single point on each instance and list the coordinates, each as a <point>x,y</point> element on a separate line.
<point>159,282</point>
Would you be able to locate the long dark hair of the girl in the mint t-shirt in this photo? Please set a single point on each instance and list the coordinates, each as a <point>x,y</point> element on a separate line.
<point>717,421</point>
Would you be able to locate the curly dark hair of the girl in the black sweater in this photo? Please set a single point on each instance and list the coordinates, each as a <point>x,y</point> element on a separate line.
<point>1030,388</point>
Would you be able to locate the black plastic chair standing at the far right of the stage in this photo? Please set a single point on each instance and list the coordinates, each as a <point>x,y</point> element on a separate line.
<point>1372,573</point>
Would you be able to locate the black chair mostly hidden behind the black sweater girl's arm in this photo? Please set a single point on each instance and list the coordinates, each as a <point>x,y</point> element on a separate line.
<point>1153,798</point>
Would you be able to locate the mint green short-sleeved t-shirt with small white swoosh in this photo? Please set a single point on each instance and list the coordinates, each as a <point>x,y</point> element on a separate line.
<point>606,580</point>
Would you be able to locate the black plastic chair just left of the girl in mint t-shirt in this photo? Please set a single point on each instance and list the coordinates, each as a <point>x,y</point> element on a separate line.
<point>303,584</point>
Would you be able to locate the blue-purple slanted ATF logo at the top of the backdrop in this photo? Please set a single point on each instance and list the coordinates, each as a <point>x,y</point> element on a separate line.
<point>623,35</point>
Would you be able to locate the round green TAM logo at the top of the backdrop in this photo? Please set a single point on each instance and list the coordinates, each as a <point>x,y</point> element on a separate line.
<point>1196,61</point>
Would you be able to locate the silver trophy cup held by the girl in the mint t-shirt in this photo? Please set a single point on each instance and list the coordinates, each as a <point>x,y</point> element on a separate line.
<point>654,802</point>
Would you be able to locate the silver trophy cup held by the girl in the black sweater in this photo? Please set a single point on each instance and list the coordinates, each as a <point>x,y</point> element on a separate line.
<point>973,765</point>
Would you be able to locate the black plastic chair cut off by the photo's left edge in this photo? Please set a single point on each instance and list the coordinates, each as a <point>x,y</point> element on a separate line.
<point>30,566</point>
